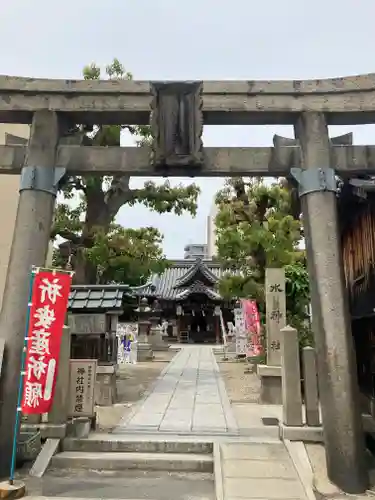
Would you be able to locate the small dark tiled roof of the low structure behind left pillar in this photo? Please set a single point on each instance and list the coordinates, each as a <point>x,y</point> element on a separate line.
<point>105,298</point>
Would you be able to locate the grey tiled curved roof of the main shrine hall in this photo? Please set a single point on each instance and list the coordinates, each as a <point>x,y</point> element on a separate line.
<point>170,284</point>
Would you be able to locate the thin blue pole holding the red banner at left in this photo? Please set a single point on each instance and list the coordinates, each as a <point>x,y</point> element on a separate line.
<point>34,271</point>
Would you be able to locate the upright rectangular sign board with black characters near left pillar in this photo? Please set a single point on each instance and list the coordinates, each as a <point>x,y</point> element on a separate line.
<point>81,387</point>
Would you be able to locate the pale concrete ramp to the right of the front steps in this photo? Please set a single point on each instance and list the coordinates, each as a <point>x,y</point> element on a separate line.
<point>259,471</point>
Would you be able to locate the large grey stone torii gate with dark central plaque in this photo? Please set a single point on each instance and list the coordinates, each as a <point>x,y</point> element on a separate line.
<point>178,111</point>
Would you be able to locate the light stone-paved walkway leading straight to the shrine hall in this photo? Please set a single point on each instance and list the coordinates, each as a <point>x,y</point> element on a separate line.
<point>188,397</point>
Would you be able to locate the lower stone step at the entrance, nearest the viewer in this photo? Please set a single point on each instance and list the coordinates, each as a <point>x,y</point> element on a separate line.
<point>182,462</point>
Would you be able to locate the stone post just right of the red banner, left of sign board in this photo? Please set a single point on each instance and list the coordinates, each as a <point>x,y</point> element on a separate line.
<point>58,416</point>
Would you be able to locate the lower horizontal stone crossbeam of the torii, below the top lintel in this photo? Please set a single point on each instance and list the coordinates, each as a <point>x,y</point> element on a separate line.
<point>346,160</point>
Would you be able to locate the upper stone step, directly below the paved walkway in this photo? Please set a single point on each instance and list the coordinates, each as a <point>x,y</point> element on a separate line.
<point>120,445</point>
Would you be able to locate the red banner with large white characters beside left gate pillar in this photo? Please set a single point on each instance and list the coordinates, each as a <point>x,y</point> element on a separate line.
<point>49,303</point>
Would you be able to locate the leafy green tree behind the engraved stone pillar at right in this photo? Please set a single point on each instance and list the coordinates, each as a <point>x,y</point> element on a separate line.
<point>257,227</point>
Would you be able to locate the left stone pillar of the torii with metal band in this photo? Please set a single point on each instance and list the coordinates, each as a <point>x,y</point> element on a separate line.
<point>31,237</point>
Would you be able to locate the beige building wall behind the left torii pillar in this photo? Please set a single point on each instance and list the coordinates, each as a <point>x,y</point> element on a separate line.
<point>16,134</point>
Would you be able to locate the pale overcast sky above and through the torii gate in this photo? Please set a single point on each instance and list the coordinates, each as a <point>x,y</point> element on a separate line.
<point>195,39</point>
